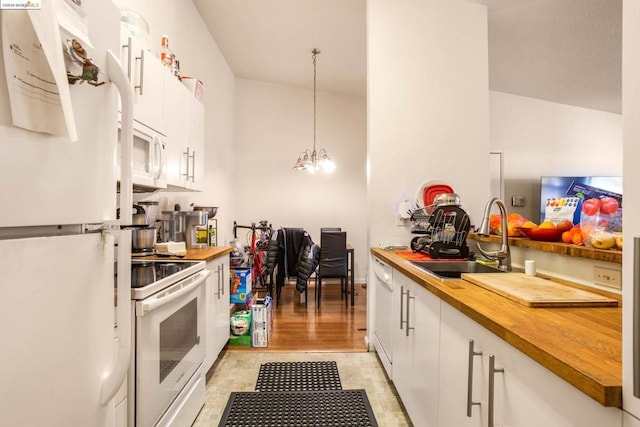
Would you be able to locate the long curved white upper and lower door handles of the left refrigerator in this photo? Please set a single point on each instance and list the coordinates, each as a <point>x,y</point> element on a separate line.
<point>112,381</point>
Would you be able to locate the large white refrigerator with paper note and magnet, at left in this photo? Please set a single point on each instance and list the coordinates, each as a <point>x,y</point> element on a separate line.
<point>65,344</point>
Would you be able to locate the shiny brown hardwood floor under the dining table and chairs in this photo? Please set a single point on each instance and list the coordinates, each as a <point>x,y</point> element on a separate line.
<point>333,327</point>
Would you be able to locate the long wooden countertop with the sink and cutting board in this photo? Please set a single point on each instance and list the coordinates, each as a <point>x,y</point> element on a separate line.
<point>583,346</point>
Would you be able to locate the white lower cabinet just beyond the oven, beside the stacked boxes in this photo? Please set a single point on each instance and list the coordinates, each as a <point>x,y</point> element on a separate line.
<point>217,309</point>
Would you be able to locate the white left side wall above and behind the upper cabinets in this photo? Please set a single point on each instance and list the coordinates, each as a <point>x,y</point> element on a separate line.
<point>187,37</point>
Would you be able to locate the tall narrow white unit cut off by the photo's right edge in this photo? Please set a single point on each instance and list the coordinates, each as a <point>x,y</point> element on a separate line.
<point>631,214</point>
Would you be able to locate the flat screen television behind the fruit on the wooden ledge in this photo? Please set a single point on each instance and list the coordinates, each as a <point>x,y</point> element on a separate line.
<point>577,189</point>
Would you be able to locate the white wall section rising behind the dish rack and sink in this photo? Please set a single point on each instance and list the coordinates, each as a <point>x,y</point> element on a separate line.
<point>428,107</point>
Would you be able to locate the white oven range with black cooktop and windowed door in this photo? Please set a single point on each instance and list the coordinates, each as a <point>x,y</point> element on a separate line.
<point>169,301</point>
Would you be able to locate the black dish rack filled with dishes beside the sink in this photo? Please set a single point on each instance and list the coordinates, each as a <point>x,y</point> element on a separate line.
<point>445,230</point>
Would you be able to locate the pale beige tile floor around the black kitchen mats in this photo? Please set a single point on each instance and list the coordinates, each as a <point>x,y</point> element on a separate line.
<point>238,371</point>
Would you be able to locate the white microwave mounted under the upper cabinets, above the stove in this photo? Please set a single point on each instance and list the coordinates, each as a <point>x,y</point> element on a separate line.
<point>149,156</point>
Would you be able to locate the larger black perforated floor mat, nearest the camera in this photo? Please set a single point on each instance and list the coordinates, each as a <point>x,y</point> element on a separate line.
<point>326,408</point>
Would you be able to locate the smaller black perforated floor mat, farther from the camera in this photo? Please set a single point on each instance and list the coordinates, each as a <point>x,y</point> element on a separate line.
<point>298,376</point>
